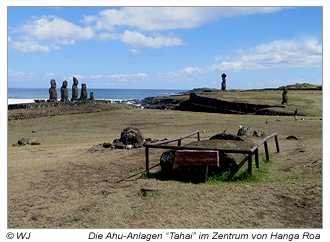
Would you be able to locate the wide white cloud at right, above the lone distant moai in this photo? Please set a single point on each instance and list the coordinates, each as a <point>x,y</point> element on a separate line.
<point>280,53</point>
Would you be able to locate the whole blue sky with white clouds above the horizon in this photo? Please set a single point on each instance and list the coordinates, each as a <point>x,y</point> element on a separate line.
<point>165,48</point>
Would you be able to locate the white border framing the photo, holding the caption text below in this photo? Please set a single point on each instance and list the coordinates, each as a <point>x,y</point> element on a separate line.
<point>82,234</point>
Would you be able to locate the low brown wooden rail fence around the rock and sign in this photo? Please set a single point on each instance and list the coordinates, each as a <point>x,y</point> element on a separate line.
<point>253,151</point>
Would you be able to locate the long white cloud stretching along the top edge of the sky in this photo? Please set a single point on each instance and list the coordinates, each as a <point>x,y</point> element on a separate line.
<point>166,18</point>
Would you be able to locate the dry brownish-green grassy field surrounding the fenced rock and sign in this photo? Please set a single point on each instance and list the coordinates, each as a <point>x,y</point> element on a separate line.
<point>70,182</point>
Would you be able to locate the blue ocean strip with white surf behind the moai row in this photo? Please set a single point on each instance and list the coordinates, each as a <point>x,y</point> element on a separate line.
<point>27,95</point>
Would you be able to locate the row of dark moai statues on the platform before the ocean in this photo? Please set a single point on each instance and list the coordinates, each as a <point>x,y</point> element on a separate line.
<point>64,91</point>
